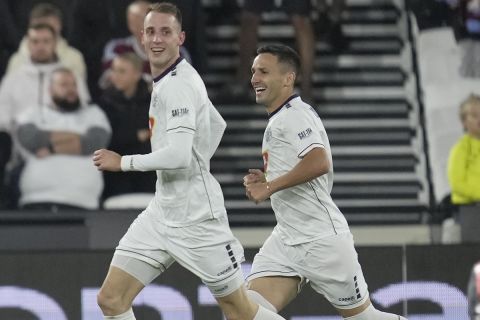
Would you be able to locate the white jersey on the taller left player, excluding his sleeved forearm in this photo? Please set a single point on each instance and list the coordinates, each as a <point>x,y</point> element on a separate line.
<point>180,104</point>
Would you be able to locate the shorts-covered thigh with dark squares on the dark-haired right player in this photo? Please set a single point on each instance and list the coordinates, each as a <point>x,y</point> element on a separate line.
<point>331,265</point>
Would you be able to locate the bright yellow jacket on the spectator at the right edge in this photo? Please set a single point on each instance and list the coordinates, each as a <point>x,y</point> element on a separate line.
<point>464,170</point>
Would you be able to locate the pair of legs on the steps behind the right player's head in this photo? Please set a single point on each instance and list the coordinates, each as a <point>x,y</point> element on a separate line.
<point>299,11</point>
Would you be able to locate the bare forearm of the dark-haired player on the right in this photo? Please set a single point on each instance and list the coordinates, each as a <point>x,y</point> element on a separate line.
<point>313,165</point>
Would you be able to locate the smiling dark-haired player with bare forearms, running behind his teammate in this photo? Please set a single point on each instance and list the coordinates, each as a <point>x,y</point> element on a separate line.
<point>311,240</point>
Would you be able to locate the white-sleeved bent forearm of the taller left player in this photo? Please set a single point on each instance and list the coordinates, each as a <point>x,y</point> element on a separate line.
<point>176,155</point>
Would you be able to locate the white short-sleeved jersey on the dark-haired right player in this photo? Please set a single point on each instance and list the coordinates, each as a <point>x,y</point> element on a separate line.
<point>304,212</point>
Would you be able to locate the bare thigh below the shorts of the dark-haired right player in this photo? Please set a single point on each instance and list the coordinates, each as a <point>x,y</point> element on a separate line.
<point>279,291</point>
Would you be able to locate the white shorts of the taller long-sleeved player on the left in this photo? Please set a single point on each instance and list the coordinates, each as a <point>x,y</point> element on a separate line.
<point>208,249</point>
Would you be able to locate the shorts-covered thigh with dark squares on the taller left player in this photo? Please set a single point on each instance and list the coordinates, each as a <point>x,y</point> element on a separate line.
<point>209,250</point>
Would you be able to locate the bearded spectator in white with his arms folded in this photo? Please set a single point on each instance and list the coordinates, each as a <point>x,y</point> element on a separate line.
<point>57,143</point>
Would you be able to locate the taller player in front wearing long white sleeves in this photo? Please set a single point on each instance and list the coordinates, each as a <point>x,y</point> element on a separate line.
<point>186,220</point>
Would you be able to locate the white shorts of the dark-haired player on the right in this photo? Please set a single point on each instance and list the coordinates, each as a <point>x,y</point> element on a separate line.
<point>329,264</point>
